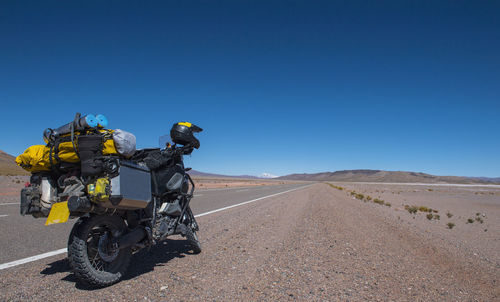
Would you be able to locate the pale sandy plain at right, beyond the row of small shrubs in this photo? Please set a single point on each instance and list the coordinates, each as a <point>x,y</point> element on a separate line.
<point>481,238</point>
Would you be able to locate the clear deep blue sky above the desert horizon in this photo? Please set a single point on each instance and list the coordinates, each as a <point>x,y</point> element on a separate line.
<point>279,86</point>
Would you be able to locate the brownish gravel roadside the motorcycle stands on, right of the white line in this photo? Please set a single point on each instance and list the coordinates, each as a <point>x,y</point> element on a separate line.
<point>313,244</point>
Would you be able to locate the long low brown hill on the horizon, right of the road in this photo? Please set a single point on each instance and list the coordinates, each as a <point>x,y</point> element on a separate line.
<point>388,176</point>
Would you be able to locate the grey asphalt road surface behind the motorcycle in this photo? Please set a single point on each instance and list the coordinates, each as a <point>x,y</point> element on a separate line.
<point>22,237</point>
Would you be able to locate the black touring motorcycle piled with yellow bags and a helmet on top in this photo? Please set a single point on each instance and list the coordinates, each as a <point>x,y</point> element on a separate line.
<point>125,199</point>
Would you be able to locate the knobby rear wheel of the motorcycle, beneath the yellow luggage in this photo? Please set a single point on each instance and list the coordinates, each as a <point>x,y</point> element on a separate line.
<point>90,253</point>
